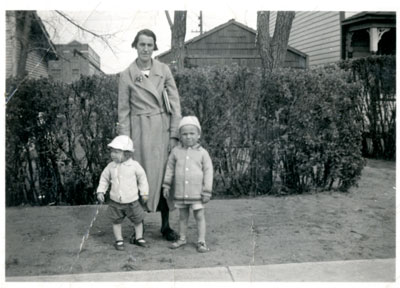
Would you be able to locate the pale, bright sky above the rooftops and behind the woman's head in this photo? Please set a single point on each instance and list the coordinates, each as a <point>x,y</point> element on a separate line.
<point>120,28</point>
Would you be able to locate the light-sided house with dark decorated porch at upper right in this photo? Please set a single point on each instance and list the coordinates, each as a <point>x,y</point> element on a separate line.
<point>329,36</point>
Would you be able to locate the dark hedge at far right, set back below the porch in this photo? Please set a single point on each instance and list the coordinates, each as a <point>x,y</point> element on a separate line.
<point>377,75</point>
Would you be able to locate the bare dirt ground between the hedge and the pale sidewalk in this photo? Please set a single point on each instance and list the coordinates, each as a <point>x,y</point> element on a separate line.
<point>253,231</point>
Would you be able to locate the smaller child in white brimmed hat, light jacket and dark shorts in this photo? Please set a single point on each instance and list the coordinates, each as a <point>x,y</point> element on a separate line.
<point>127,178</point>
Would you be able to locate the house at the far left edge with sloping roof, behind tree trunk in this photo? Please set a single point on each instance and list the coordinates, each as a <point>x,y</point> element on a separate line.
<point>27,27</point>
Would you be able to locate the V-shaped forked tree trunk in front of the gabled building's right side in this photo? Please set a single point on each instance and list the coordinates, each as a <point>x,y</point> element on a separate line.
<point>273,50</point>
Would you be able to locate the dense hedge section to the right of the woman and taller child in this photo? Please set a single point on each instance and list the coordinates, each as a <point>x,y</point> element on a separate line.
<point>296,131</point>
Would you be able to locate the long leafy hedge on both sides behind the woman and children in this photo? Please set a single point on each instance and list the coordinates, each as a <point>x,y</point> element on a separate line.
<point>293,131</point>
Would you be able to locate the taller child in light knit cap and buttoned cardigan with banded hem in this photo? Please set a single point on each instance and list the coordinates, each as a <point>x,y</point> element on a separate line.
<point>190,168</point>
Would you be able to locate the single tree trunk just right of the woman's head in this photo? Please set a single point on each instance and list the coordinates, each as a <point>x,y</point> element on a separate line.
<point>178,33</point>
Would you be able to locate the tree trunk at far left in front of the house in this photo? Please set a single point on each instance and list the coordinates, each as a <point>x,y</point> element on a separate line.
<point>26,19</point>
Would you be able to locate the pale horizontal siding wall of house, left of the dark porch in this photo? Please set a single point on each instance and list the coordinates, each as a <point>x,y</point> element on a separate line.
<point>316,33</point>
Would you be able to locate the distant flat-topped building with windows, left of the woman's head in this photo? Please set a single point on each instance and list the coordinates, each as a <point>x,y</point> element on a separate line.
<point>74,59</point>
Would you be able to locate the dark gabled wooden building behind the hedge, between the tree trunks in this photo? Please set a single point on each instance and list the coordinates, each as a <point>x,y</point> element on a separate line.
<point>227,44</point>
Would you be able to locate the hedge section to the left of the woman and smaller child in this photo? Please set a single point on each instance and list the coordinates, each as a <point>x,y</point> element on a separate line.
<point>57,138</point>
